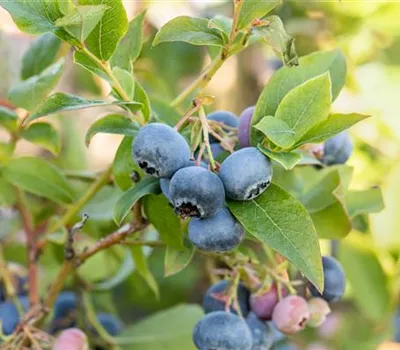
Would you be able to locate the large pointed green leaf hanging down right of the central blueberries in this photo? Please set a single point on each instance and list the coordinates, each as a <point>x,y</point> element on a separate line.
<point>296,239</point>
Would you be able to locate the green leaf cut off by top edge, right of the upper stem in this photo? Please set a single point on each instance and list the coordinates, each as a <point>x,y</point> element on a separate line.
<point>255,9</point>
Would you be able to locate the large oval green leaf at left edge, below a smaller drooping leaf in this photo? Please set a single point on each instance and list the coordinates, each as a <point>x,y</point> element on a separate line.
<point>37,176</point>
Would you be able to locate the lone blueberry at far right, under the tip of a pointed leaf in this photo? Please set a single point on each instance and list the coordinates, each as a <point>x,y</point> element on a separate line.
<point>337,150</point>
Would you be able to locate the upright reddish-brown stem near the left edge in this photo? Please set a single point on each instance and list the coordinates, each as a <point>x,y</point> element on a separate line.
<point>27,222</point>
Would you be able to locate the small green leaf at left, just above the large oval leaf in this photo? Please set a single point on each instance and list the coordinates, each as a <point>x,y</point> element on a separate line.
<point>44,135</point>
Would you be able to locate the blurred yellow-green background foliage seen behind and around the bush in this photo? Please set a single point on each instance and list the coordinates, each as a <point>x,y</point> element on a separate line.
<point>369,34</point>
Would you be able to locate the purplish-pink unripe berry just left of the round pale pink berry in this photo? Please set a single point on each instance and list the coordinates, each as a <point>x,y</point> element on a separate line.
<point>263,304</point>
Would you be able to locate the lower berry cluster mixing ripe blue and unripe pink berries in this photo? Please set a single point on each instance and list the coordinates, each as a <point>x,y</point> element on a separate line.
<point>249,322</point>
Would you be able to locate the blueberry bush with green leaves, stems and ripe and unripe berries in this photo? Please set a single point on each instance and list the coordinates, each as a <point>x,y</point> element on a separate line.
<point>250,202</point>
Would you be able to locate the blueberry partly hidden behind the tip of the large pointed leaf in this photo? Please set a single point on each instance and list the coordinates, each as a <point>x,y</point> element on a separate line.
<point>334,281</point>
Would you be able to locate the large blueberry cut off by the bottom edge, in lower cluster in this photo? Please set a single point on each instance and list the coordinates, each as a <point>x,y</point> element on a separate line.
<point>222,331</point>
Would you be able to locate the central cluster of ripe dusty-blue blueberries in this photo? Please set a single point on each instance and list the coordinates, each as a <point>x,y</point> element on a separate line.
<point>195,191</point>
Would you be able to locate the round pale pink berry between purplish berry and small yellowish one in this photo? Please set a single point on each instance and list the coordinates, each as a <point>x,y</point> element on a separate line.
<point>291,314</point>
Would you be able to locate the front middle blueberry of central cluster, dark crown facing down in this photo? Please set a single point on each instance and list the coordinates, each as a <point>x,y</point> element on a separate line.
<point>195,191</point>
